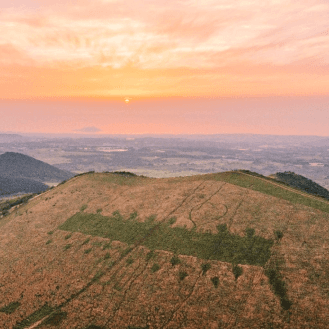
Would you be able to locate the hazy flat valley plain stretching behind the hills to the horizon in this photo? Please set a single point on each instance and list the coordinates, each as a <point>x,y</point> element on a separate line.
<point>168,156</point>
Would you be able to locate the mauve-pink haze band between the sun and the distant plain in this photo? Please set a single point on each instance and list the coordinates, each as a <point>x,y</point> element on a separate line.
<point>273,116</point>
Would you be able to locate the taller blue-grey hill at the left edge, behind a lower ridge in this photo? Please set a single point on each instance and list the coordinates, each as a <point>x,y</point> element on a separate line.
<point>17,165</point>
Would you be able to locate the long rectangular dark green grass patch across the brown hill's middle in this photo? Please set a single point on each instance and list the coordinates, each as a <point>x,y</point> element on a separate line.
<point>222,246</point>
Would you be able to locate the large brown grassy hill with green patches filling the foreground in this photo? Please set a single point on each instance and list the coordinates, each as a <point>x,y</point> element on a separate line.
<point>227,250</point>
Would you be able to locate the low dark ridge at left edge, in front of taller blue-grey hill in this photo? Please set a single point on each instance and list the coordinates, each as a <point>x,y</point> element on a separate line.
<point>10,186</point>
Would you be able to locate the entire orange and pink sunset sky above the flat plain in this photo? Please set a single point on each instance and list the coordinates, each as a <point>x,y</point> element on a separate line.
<point>187,66</point>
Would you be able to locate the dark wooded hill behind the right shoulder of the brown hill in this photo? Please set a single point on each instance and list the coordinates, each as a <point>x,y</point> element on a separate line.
<point>301,183</point>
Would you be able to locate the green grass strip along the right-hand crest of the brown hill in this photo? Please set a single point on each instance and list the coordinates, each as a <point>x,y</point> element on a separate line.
<point>253,182</point>
